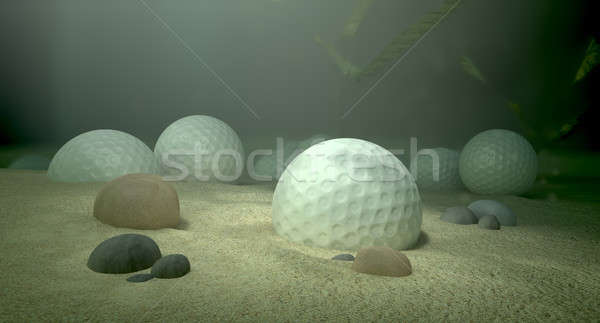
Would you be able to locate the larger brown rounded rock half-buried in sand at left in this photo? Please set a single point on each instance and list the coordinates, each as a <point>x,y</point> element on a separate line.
<point>138,201</point>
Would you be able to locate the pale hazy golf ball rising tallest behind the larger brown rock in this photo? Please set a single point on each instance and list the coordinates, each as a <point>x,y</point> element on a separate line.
<point>200,148</point>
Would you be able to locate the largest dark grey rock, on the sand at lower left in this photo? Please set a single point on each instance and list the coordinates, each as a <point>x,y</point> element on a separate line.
<point>125,253</point>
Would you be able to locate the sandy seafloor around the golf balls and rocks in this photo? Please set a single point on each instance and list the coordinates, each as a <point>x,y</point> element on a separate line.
<point>545,269</point>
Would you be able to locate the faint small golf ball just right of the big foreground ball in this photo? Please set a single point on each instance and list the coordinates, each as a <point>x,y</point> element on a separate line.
<point>441,175</point>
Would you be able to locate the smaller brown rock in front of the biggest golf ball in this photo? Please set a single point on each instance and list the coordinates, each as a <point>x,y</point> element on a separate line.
<point>384,261</point>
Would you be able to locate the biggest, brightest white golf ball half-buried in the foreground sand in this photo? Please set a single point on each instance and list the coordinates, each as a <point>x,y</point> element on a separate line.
<point>346,194</point>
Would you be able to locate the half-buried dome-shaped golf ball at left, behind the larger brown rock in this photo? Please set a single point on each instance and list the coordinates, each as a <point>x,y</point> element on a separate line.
<point>101,155</point>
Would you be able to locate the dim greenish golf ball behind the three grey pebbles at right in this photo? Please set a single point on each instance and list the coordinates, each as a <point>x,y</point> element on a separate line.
<point>498,161</point>
